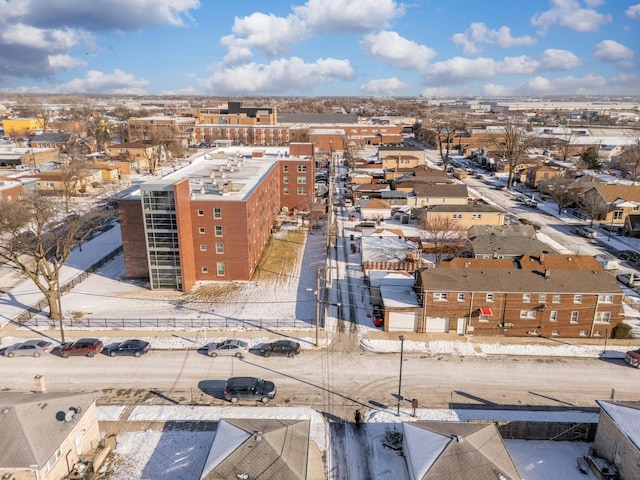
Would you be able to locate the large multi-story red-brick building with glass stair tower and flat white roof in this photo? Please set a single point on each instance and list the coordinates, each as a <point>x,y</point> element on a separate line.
<point>212,220</point>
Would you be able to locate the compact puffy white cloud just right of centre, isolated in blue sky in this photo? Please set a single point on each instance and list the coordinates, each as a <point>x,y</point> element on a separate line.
<point>397,51</point>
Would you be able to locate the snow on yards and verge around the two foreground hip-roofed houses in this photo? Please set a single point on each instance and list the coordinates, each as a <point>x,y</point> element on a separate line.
<point>181,455</point>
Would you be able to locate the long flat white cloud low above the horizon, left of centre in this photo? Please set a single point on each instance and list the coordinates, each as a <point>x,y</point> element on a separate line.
<point>278,77</point>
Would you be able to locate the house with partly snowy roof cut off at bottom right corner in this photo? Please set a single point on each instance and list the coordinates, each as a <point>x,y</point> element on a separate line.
<point>618,437</point>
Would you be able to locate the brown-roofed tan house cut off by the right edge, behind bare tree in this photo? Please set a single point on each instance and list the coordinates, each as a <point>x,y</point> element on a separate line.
<point>612,202</point>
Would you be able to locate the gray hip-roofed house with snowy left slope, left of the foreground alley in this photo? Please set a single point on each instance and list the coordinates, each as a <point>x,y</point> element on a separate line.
<point>264,448</point>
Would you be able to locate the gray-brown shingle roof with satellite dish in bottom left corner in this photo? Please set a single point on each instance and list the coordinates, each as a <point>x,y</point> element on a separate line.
<point>33,426</point>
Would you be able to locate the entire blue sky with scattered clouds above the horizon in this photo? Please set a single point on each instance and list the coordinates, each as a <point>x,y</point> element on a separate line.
<point>321,47</point>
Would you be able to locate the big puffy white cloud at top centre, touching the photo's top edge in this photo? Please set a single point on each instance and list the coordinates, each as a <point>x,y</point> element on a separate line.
<point>272,35</point>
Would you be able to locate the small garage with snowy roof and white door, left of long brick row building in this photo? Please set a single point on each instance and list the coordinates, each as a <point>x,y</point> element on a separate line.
<point>401,307</point>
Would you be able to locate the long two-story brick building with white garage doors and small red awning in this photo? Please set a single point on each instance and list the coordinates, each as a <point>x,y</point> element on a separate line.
<point>550,295</point>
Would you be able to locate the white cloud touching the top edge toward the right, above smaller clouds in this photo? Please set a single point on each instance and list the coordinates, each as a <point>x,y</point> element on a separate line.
<point>570,14</point>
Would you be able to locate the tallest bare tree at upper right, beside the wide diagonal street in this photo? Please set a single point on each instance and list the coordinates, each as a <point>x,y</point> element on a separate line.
<point>513,143</point>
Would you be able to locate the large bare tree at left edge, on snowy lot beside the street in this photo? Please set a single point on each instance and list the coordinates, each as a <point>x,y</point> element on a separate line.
<point>38,238</point>
